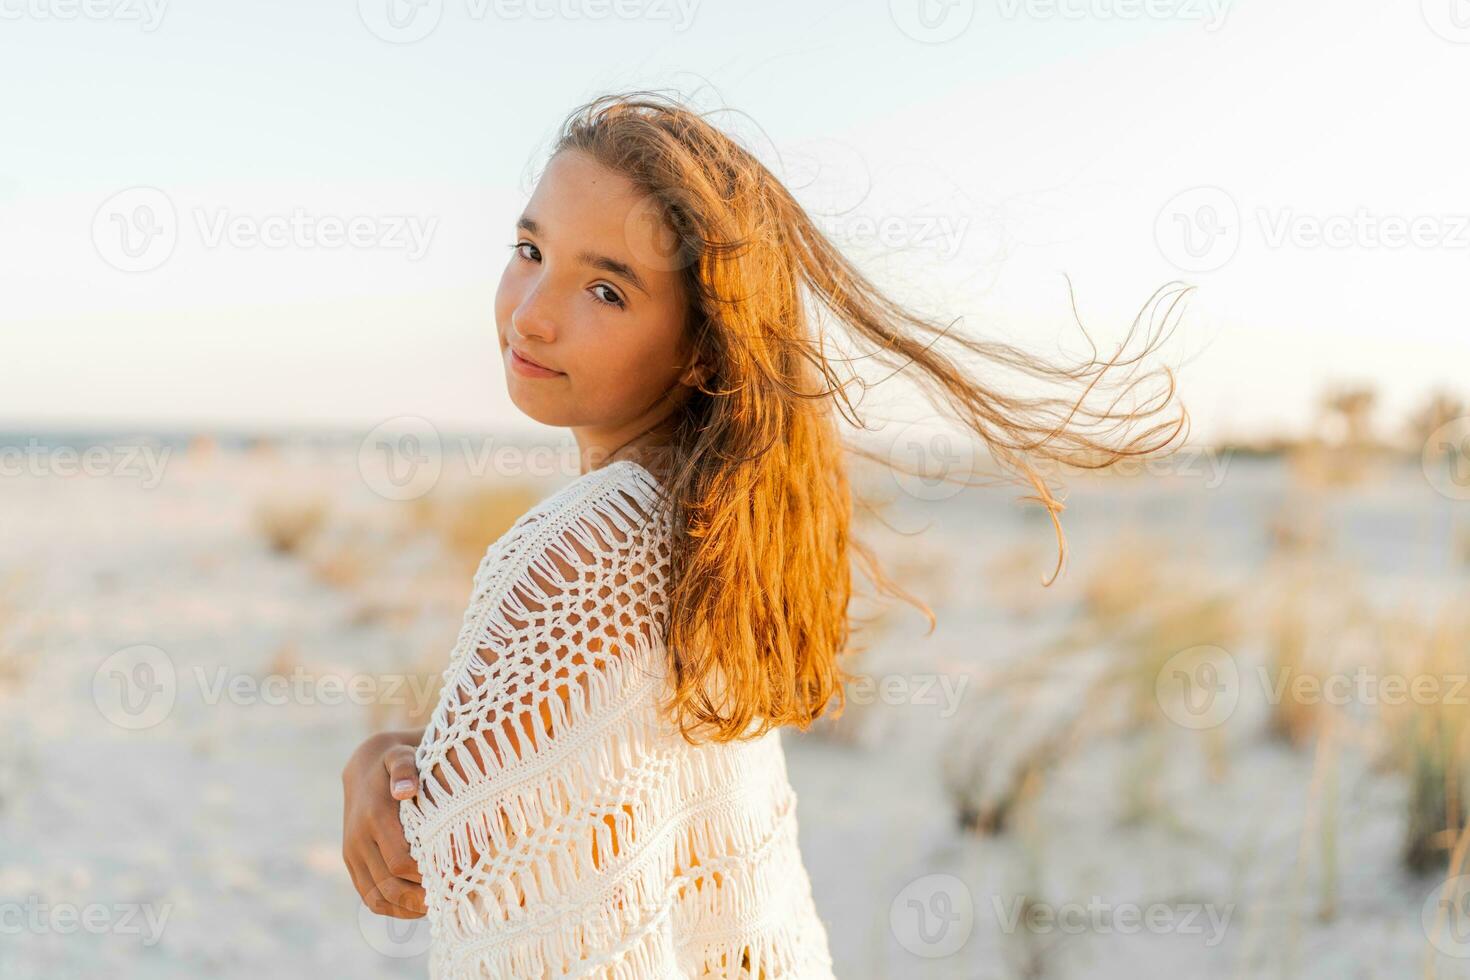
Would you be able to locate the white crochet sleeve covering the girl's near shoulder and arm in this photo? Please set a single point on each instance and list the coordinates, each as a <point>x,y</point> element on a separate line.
<point>526,794</point>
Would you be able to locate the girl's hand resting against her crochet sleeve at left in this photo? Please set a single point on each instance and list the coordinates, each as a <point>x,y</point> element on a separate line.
<point>379,775</point>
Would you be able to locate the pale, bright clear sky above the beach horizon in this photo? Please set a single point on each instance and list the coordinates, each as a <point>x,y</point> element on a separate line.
<point>1040,140</point>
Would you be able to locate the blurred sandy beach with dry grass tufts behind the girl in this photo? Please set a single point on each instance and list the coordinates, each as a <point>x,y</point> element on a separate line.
<point>187,666</point>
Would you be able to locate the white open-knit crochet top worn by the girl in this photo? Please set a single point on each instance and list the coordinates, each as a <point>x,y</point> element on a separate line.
<point>562,828</point>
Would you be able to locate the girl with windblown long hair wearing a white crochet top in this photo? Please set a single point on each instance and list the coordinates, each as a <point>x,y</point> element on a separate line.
<point>602,790</point>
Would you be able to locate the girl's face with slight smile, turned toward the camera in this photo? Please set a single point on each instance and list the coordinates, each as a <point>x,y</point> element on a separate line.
<point>587,298</point>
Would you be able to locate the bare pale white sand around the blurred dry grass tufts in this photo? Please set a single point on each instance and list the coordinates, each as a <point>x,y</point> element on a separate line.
<point>223,821</point>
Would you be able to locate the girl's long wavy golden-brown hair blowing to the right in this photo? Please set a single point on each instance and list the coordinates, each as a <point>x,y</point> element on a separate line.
<point>755,466</point>
